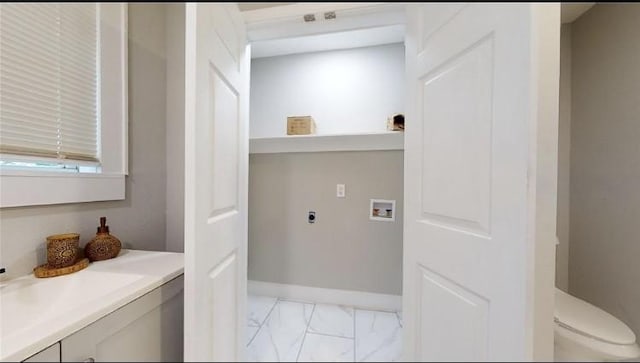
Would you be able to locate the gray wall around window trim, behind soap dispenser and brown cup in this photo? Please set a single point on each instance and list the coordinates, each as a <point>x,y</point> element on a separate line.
<point>139,221</point>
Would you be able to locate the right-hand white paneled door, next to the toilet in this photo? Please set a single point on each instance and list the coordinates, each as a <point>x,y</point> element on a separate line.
<point>481,107</point>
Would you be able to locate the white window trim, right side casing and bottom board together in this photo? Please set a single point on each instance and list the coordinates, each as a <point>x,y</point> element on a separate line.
<point>26,188</point>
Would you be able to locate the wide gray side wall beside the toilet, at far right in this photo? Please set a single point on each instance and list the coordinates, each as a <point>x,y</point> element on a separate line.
<point>604,266</point>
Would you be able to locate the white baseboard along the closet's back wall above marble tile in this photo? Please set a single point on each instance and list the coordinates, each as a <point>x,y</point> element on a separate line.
<point>358,299</point>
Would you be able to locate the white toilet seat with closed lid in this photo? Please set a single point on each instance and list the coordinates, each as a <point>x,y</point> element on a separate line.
<point>580,317</point>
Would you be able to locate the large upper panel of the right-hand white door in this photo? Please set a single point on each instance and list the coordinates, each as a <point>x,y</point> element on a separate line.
<point>463,135</point>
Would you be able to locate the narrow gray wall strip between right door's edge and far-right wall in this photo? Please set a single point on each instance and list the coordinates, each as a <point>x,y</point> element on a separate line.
<point>564,149</point>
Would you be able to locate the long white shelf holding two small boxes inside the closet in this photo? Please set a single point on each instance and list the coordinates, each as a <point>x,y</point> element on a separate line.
<point>389,140</point>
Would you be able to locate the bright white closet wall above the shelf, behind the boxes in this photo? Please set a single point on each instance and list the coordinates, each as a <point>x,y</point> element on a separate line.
<point>346,91</point>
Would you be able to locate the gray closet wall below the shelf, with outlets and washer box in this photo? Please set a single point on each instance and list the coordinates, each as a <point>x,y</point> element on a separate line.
<point>343,249</point>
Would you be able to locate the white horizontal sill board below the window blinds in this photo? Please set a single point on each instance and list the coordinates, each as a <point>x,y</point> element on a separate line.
<point>24,188</point>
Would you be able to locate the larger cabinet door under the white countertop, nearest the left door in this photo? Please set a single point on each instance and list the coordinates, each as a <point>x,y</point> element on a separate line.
<point>149,329</point>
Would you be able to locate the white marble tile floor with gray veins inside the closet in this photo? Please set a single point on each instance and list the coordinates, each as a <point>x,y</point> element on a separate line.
<point>287,331</point>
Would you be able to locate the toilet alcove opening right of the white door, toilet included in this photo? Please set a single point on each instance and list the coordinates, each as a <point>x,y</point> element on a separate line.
<point>597,178</point>
